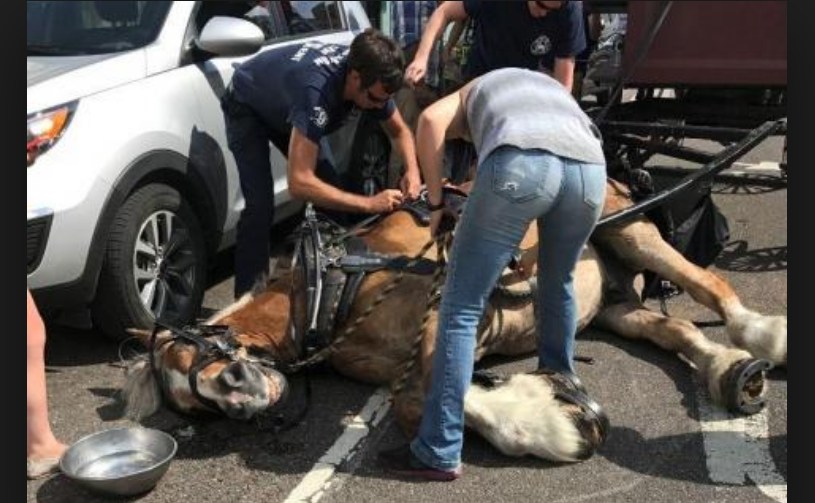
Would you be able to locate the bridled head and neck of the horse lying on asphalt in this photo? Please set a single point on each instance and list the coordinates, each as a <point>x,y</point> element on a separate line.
<point>229,366</point>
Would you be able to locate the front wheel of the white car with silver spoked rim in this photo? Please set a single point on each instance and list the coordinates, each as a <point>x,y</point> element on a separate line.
<point>154,265</point>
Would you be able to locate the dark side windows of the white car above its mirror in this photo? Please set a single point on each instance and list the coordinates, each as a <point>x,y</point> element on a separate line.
<point>277,19</point>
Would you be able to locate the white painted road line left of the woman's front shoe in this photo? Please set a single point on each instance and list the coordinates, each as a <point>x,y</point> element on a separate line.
<point>319,478</point>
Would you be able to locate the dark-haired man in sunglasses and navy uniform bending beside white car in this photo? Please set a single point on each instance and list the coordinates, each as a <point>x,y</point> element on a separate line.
<point>294,97</point>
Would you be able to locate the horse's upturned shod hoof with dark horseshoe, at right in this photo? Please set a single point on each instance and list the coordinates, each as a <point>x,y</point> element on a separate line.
<point>743,386</point>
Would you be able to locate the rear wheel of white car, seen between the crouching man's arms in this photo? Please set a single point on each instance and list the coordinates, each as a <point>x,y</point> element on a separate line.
<point>370,157</point>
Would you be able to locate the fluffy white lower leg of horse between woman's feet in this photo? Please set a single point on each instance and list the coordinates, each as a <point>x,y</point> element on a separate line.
<point>522,416</point>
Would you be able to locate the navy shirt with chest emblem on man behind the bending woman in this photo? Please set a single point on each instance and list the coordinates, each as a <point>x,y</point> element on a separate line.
<point>506,35</point>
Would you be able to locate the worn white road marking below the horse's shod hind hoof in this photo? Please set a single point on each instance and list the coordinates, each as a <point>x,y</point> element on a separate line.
<point>737,449</point>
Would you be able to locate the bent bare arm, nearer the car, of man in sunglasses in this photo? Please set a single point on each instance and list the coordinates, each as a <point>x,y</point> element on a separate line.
<point>304,183</point>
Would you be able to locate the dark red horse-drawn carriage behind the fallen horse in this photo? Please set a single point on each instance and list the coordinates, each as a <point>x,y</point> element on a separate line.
<point>705,84</point>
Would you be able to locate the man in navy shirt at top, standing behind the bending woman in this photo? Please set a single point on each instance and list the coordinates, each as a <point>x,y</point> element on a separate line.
<point>537,35</point>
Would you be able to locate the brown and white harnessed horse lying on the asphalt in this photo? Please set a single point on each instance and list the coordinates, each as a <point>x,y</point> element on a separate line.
<point>526,414</point>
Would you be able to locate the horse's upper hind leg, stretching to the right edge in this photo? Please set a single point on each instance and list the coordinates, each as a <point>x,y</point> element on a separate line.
<point>639,245</point>
